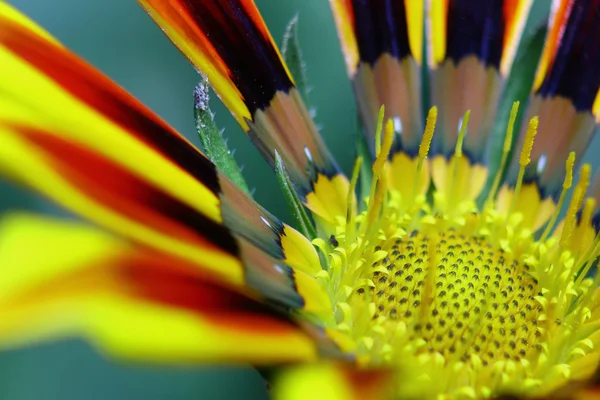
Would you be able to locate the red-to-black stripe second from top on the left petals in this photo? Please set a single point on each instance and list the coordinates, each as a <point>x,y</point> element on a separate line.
<point>120,190</point>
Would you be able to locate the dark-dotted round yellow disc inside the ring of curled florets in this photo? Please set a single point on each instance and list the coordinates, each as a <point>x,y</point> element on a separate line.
<point>479,300</point>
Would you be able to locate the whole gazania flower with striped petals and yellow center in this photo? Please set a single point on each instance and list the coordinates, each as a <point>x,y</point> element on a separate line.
<point>447,278</point>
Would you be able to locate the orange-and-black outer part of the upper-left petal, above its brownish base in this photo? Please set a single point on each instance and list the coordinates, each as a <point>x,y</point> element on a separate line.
<point>193,25</point>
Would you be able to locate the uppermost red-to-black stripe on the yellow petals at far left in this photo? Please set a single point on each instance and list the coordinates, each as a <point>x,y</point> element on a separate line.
<point>93,88</point>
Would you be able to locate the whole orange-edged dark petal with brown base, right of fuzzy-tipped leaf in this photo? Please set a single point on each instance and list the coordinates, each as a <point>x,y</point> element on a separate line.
<point>229,41</point>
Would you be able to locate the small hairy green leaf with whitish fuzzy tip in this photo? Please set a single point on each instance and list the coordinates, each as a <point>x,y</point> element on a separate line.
<point>213,142</point>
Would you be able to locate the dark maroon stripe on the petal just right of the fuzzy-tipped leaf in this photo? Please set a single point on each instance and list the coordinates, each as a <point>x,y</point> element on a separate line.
<point>253,63</point>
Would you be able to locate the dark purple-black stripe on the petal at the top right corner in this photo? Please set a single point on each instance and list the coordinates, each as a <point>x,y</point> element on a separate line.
<point>575,72</point>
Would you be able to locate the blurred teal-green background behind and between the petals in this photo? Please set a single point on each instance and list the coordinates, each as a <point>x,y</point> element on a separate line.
<point>120,39</point>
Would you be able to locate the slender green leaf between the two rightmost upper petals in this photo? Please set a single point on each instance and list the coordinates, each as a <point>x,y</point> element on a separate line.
<point>518,88</point>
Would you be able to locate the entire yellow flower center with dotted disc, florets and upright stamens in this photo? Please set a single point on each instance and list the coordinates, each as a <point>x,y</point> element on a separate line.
<point>463,299</point>
